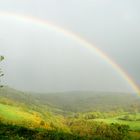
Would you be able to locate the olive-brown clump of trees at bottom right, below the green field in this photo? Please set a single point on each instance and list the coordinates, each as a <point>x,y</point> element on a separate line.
<point>99,130</point>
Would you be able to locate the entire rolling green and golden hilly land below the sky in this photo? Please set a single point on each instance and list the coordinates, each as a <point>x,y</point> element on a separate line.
<point>68,114</point>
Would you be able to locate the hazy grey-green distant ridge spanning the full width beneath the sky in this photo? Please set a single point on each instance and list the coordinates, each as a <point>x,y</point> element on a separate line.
<point>74,101</point>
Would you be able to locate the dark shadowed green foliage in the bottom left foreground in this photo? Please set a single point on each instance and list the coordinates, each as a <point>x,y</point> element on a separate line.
<point>13,132</point>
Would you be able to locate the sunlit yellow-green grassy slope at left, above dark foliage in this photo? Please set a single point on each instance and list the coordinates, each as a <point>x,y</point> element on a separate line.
<point>31,118</point>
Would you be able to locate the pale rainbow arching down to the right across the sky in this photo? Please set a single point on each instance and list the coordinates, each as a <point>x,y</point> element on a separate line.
<point>77,38</point>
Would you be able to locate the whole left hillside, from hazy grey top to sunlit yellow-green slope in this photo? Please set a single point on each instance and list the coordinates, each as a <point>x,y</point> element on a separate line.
<point>23,109</point>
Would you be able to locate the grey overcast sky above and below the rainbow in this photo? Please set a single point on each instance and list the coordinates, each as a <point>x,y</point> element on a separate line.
<point>40,59</point>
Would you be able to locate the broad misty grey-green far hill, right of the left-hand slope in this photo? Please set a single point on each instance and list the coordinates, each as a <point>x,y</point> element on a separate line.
<point>89,101</point>
